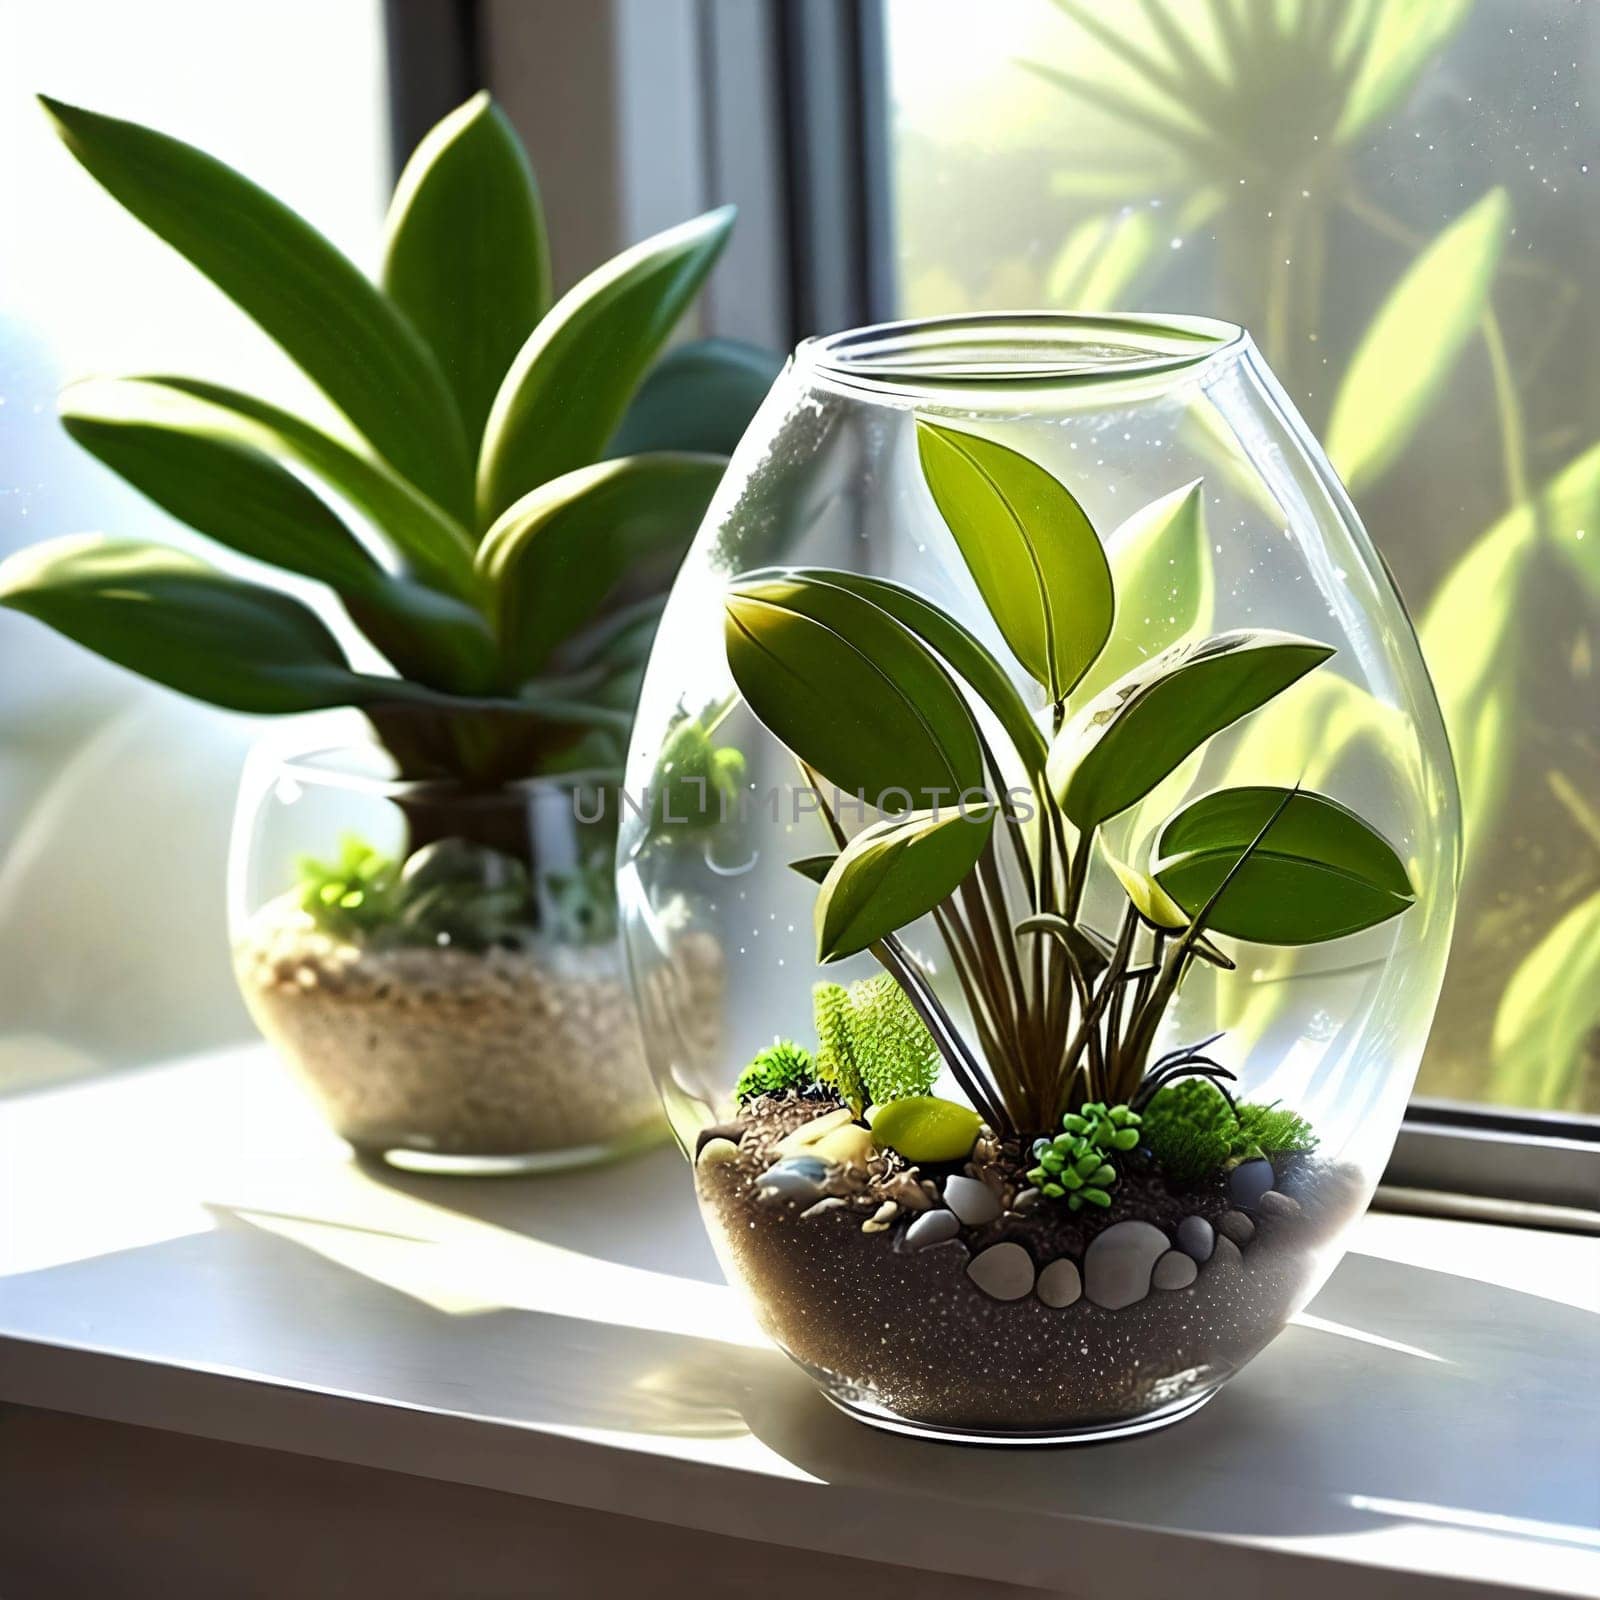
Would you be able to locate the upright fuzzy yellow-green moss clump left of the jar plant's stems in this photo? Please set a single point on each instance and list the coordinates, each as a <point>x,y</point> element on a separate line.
<point>874,1047</point>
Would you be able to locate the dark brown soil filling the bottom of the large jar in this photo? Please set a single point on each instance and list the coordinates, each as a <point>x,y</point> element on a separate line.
<point>913,1334</point>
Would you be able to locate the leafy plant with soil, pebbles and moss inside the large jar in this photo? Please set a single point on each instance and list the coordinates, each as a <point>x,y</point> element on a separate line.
<point>1084,1166</point>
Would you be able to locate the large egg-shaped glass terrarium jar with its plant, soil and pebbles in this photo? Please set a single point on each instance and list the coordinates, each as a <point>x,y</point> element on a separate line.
<point>1036,1118</point>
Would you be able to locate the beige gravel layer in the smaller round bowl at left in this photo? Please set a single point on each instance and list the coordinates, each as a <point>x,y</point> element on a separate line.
<point>498,1054</point>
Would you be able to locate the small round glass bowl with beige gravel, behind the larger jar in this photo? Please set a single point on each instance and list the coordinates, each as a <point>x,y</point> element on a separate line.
<point>441,967</point>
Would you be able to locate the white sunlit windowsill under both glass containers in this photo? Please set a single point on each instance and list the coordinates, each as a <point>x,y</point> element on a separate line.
<point>190,1250</point>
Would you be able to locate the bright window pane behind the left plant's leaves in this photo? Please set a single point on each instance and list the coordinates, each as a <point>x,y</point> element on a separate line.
<point>114,798</point>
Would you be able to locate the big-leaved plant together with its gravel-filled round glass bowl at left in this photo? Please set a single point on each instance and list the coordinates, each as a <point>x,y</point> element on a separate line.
<point>498,508</point>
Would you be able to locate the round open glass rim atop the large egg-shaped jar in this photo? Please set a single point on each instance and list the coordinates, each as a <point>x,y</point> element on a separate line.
<point>1010,351</point>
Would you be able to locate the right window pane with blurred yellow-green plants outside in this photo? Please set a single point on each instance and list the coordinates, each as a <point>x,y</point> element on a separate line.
<point>1396,198</point>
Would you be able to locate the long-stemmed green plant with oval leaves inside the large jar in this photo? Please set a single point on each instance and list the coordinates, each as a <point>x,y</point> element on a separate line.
<point>1065,1014</point>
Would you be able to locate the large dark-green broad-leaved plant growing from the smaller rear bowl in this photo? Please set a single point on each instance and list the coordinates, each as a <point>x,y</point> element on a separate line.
<point>500,518</point>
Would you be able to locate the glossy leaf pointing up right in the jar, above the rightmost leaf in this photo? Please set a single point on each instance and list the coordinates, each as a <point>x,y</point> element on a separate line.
<point>1124,743</point>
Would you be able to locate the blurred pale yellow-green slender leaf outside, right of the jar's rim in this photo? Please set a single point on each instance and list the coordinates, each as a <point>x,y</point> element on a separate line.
<point>1412,345</point>
